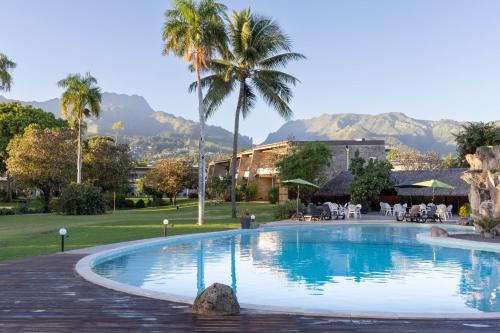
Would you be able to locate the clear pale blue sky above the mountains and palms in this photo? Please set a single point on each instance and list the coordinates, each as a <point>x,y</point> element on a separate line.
<point>429,59</point>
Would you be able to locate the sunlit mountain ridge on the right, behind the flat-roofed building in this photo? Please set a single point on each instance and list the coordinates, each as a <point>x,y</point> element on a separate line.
<point>395,128</point>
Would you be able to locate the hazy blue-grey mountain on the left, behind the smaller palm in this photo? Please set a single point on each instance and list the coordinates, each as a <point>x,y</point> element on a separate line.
<point>150,133</point>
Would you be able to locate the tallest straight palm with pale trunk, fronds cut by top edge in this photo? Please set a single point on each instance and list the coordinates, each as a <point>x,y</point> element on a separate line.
<point>194,30</point>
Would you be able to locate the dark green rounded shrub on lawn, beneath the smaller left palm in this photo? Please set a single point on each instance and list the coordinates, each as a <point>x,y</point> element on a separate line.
<point>82,199</point>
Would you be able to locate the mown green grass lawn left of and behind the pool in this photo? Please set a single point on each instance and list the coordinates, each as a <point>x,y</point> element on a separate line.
<point>37,234</point>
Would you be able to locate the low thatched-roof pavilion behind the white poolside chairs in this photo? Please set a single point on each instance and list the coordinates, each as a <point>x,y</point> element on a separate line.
<point>337,189</point>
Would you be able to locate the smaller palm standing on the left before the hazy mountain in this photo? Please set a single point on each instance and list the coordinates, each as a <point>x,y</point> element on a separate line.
<point>81,99</point>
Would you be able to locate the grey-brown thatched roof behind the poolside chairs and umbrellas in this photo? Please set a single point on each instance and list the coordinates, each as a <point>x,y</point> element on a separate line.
<point>339,185</point>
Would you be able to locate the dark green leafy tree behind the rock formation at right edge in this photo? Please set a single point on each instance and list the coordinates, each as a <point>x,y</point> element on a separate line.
<point>474,135</point>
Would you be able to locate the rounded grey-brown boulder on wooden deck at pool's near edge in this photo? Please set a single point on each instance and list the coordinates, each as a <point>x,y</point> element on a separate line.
<point>216,300</point>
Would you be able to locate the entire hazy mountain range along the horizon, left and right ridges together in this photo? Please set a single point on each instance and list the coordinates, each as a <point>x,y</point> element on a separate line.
<point>154,134</point>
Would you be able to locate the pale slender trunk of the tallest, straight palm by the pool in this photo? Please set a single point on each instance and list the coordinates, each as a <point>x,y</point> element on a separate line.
<point>201,163</point>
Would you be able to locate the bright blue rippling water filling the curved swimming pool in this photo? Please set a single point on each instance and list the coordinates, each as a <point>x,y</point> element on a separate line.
<point>333,268</point>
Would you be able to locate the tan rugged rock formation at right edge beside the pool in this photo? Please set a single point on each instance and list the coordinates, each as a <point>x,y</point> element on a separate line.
<point>484,179</point>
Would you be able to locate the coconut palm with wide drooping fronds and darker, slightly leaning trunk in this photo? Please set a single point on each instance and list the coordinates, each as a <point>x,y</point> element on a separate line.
<point>258,50</point>
